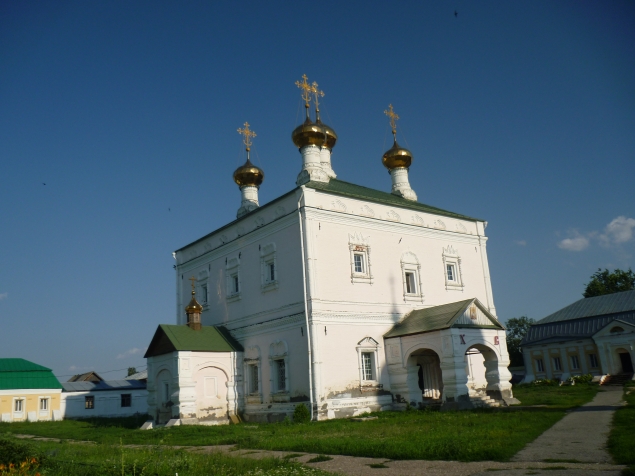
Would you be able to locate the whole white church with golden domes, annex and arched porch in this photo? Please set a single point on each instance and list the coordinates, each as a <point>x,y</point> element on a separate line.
<point>341,297</point>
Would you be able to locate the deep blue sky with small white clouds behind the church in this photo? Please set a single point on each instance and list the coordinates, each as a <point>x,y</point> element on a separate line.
<point>521,113</point>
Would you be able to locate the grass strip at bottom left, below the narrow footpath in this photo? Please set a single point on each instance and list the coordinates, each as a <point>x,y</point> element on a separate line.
<point>64,459</point>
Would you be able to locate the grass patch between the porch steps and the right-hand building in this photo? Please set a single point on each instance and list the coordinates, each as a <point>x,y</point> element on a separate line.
<point>567,396</point>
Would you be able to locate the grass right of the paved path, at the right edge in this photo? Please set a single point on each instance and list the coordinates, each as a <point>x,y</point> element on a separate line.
<point>622,438</point>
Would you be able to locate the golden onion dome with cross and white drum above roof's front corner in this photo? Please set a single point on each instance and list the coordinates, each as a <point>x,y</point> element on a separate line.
<point>312,138</point>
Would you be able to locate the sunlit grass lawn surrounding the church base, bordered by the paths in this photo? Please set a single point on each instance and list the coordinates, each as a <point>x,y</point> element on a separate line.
<point>464,436</point>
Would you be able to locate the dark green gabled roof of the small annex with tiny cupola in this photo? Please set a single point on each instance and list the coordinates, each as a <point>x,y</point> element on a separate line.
<point>171,338</point>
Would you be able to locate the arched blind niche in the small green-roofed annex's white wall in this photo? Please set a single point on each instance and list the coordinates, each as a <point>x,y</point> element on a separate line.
<point>211,396</point>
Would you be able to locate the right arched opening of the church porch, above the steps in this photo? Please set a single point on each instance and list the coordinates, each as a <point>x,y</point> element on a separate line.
<point>483,378</point>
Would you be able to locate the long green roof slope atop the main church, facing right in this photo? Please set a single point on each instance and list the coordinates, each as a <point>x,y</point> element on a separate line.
<point>339,187</point>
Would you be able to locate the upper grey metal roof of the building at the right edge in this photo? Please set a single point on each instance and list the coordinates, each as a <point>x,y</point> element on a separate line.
<point>595,306</point>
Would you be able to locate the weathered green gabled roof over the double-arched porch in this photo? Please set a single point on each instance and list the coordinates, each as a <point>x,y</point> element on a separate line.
<point>439,317</point>
